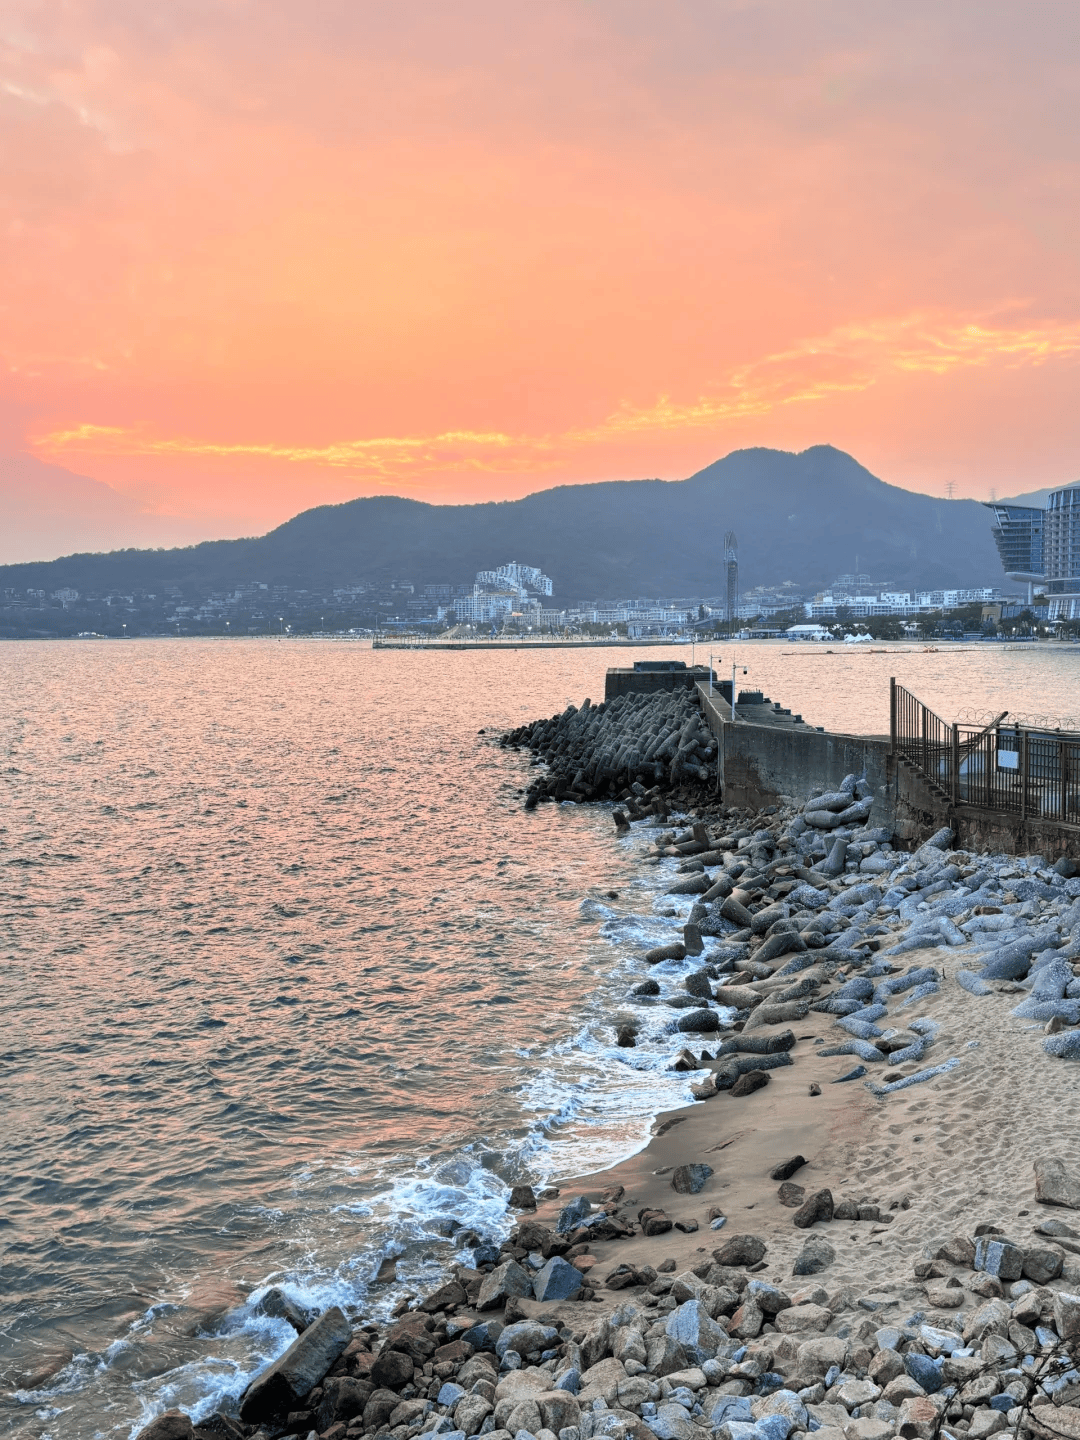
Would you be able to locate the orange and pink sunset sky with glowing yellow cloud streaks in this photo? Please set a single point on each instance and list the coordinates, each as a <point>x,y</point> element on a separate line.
<point>266,254</point>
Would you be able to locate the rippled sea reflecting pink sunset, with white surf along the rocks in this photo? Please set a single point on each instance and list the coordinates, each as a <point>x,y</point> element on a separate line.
<point>292,981</point>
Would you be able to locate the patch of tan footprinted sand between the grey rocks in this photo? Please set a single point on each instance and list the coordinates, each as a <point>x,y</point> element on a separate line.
<point>938,1158</point>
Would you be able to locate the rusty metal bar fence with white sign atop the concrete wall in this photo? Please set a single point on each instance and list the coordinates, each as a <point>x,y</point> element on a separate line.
<point>1029,773</point>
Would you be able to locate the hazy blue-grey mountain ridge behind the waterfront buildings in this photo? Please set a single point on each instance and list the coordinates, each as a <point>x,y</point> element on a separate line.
<point>804,518</point>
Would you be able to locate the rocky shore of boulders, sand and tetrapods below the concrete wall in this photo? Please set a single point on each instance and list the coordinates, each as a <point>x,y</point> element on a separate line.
<point>807,954</point>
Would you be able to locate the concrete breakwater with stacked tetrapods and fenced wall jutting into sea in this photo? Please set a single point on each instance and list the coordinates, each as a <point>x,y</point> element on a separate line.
<point>672,748</point>
